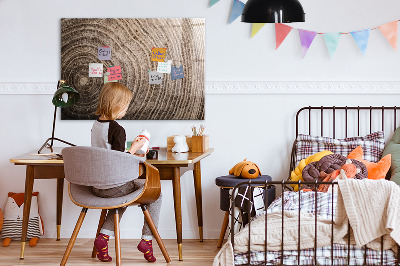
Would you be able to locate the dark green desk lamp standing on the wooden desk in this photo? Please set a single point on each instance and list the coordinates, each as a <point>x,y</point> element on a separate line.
<point>64,96</point>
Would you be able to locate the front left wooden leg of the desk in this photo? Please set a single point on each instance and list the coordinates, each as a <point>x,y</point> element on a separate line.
<point>27,206</point>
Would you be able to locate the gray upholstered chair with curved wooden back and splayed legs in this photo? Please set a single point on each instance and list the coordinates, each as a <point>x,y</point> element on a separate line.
<point>85,167</point>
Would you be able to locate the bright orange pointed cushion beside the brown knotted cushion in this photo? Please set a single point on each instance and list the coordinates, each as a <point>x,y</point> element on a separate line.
<point>375,170</point>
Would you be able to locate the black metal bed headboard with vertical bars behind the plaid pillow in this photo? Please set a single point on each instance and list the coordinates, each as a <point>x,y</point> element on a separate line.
<point>344,121</point>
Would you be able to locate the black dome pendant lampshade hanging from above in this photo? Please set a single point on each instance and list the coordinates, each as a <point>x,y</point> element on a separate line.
<point>273,11</point>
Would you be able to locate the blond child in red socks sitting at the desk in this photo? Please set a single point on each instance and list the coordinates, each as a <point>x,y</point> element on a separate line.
<point>107,133</point>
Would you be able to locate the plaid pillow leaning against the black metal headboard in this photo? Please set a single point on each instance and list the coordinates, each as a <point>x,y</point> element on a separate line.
<point>372,145</point>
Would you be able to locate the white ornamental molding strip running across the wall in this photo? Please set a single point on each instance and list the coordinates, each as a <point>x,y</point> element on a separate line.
<point>249,87</point>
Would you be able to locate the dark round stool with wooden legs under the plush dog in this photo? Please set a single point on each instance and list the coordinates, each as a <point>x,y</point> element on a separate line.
<point>226,183</point>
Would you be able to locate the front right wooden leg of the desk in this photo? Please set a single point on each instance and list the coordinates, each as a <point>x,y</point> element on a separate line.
<point>176,182</point>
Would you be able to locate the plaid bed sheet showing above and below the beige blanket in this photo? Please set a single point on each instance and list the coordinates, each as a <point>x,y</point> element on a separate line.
<point>306,202</point>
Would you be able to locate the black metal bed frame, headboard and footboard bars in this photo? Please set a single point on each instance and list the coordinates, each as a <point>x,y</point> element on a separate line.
<point>284,183</point>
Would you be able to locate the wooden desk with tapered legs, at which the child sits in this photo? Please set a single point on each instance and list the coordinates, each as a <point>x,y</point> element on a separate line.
<point>171,167</point>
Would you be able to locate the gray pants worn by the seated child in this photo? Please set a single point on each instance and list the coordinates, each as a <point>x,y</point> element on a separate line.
<point>154,208</point>
